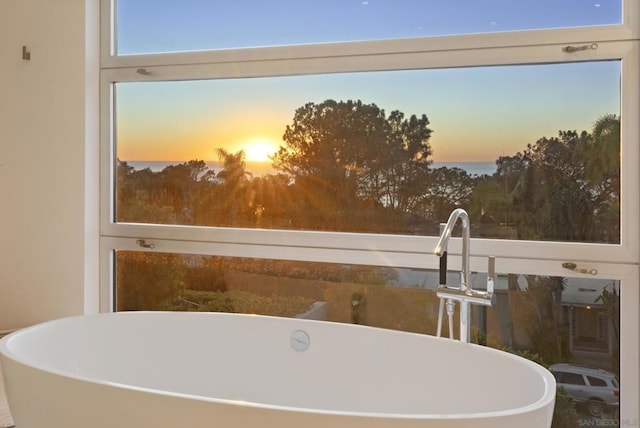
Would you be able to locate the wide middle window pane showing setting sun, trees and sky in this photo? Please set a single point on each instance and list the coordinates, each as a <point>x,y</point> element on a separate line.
<point>526,150</point>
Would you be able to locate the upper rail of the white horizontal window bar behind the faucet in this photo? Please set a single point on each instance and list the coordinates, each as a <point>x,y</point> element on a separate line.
<point>422,246</point>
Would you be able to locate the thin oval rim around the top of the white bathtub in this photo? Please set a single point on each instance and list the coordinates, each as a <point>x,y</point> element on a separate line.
<point>548,398</point>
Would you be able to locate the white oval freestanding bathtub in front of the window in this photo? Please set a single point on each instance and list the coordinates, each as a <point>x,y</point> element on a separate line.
<point>164,369</point>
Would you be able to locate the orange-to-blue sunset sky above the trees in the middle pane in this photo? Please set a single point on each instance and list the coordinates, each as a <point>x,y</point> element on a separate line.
<point>471,122</point>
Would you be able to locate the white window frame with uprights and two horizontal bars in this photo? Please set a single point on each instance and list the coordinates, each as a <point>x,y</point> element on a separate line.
<point>522,47</point>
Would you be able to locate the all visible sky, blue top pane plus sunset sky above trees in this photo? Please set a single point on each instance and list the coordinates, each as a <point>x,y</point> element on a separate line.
<point>477,114</point>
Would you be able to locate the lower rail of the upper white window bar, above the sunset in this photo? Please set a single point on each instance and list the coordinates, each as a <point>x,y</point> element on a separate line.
<point>520,55</point>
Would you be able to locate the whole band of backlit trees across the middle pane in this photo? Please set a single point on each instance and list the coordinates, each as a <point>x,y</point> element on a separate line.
<point>350,166</point>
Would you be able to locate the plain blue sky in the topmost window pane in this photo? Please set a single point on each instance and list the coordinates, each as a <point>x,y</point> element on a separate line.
<point>157,26</point>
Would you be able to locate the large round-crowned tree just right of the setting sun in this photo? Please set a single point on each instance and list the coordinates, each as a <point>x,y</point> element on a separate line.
<point>343,156</point>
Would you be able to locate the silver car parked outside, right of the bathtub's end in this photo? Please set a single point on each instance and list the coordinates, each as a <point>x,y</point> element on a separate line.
<point>598,390</point>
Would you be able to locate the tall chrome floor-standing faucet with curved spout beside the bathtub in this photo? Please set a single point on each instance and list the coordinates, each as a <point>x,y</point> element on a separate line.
<point>464,293</point>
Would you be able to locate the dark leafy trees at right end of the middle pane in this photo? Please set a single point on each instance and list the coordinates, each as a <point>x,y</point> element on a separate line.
<point>568,186</point>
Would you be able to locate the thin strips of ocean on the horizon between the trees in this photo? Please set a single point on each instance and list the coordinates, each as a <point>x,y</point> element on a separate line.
<point>263,168</point>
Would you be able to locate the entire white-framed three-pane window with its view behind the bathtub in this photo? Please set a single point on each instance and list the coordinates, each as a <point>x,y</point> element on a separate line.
<point>249,166</point>
